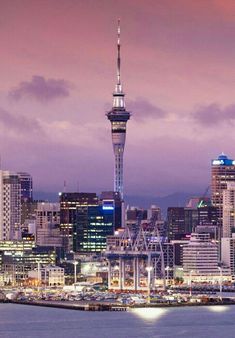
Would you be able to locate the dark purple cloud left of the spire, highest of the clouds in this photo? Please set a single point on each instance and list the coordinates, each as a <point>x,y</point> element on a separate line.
<point>41,89</point>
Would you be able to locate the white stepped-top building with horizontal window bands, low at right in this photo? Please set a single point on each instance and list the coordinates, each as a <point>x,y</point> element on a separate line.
<point>200,259</point>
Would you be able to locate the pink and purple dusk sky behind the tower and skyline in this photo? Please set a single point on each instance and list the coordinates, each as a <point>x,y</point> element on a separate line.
<point>58,73</point>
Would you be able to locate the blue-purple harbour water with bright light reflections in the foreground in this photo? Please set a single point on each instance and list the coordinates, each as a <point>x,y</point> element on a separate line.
<point>22,321</point>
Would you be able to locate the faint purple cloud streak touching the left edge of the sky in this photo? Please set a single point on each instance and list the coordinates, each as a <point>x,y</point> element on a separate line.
<point>19,123</point>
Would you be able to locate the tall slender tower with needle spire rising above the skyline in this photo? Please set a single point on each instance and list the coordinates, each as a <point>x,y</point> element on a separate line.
<point>118,117</point>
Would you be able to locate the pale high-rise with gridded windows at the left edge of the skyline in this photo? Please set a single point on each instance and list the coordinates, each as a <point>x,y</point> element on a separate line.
<point>10,205</point>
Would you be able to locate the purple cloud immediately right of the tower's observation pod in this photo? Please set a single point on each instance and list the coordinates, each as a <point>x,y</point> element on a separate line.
<point>143,109</point>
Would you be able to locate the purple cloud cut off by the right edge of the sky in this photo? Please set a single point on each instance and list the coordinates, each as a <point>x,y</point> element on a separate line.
<point>213,114</point>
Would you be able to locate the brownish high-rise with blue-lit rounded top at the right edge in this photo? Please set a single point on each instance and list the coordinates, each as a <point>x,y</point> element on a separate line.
<point>222,172</point>
